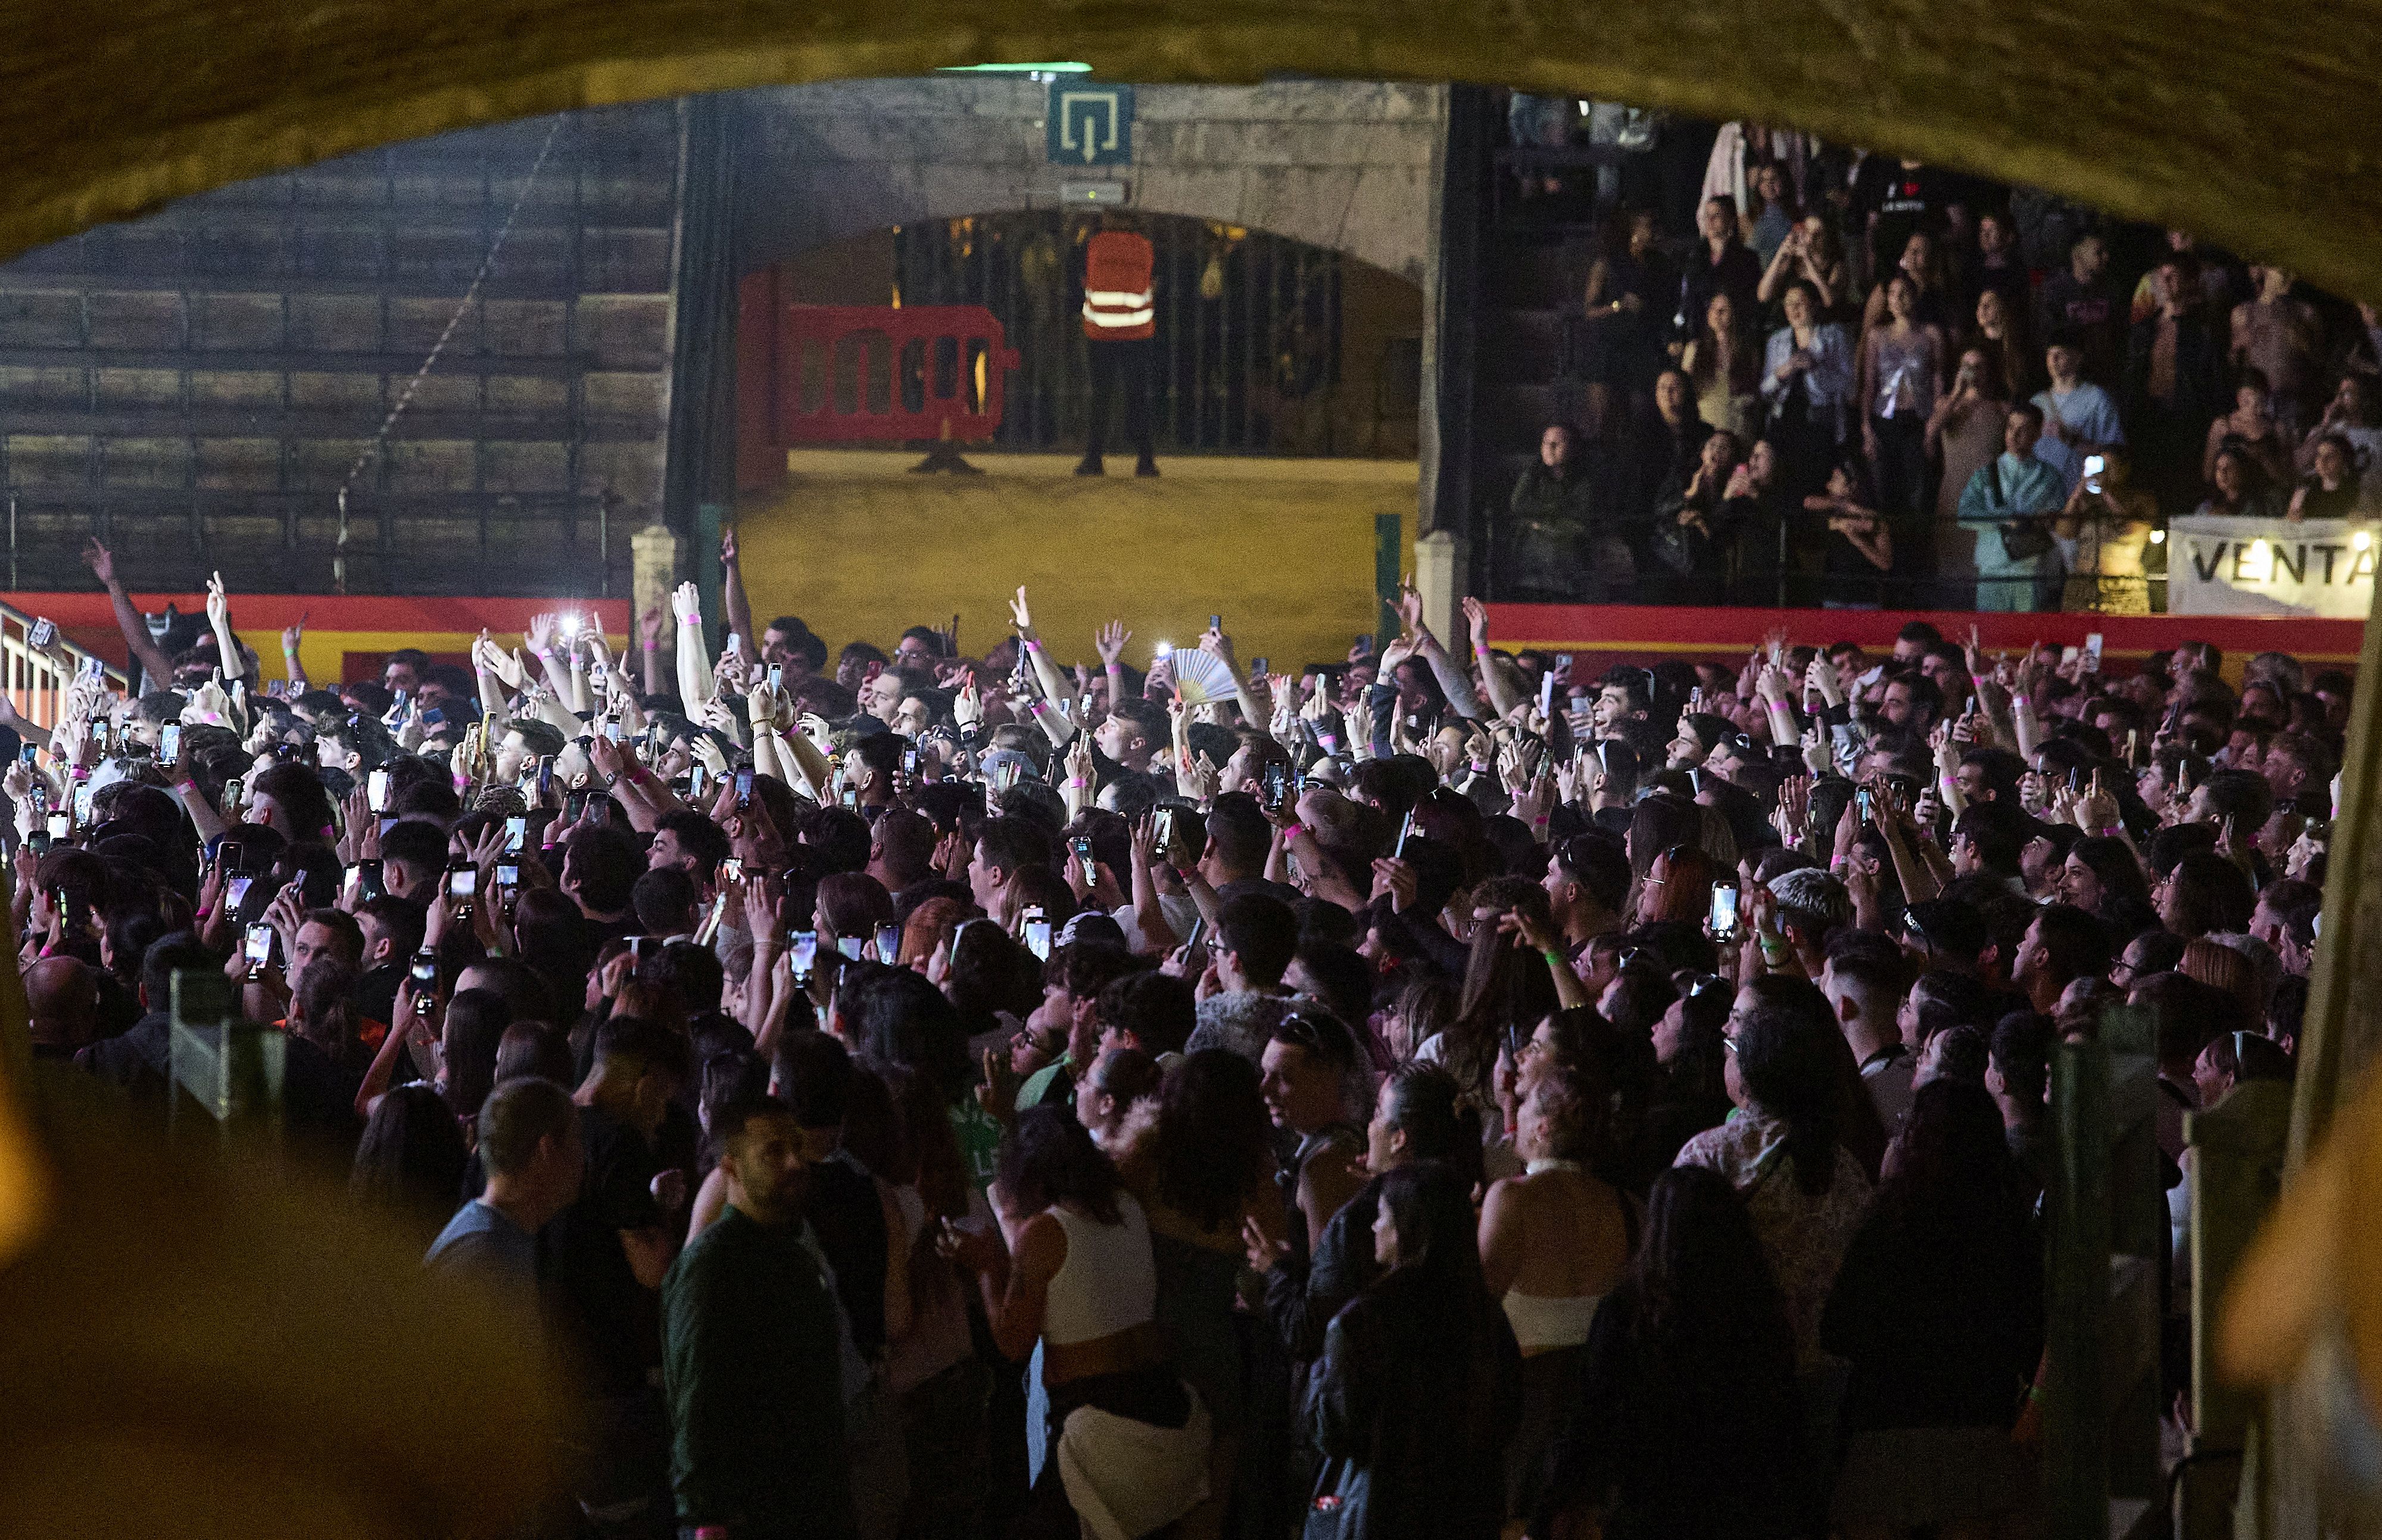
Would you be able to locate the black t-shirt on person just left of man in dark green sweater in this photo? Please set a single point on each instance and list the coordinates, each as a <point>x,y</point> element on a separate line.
<point>601,1308</point>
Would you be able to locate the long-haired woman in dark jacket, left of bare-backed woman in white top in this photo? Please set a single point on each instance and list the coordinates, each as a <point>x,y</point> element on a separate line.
<point>1418,1386</point>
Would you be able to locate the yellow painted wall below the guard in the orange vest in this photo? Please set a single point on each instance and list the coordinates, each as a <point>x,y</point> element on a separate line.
<point>1283,549</point>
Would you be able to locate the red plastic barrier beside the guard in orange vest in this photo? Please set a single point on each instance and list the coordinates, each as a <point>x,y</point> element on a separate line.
<point>861,375</point>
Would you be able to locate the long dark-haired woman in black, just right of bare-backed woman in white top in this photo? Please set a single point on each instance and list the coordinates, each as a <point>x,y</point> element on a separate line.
<point>1688,1420</point>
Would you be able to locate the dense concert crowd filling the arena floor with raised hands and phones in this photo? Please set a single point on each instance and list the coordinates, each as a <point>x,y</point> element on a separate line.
<point>1426,1093</point>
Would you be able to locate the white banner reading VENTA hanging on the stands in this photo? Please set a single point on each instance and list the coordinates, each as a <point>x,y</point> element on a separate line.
<point>2316,569</point>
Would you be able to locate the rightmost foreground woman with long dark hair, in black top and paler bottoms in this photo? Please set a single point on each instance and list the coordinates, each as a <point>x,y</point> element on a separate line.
<point>1940,1310</point>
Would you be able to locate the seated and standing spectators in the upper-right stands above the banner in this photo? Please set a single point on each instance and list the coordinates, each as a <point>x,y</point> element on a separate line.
<point>1871,383</point>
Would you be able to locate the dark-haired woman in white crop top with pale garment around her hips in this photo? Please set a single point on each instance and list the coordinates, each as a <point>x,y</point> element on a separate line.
<point>1071,1267</point>
